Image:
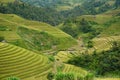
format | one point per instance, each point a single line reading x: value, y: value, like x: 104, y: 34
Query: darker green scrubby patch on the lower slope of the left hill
x: 43, y: 40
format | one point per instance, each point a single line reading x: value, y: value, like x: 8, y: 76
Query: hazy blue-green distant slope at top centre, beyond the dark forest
x: 58, y: 4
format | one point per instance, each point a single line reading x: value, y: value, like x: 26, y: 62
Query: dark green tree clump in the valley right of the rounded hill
x: 77, y: 28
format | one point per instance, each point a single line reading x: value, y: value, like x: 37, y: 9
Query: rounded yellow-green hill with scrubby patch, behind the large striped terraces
x: 32, y: 34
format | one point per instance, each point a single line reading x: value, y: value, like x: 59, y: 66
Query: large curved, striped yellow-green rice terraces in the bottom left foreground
x: 24, y: 64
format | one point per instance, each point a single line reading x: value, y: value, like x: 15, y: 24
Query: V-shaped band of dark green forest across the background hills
x: 51, y: 15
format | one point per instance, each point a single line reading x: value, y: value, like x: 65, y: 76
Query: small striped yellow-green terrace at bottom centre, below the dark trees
x: 74, y: 69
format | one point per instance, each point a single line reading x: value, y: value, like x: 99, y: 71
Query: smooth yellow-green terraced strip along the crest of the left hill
x: 35, y: 25
